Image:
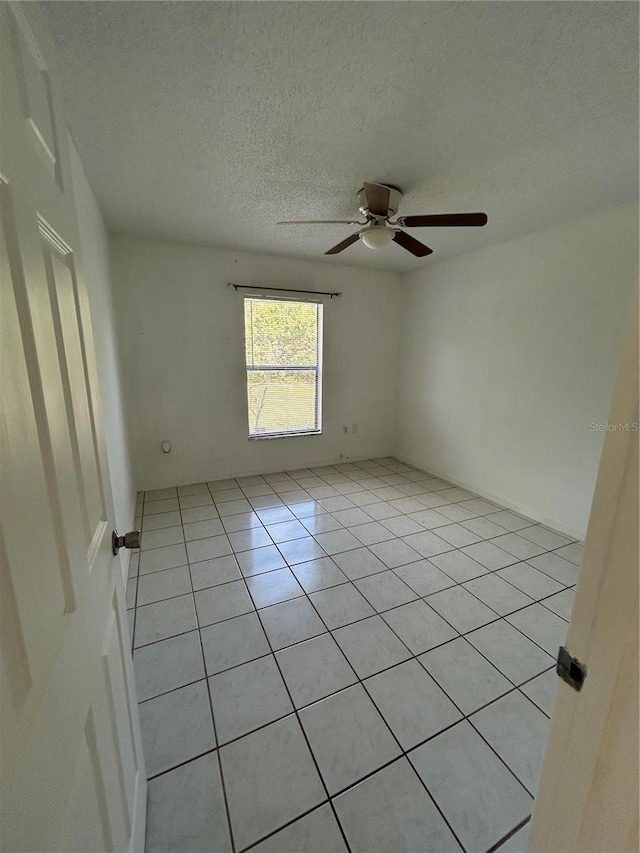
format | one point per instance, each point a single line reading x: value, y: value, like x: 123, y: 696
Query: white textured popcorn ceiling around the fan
x: 208, y: 121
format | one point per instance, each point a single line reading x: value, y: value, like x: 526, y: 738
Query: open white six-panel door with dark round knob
x: 71, y: 764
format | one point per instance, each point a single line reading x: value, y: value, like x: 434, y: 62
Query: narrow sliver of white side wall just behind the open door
x: 95, y: 256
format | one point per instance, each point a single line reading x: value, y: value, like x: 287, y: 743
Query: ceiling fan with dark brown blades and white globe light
x: 378, y: 203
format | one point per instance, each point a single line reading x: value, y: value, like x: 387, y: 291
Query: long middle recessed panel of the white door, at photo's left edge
x: 29, y: 494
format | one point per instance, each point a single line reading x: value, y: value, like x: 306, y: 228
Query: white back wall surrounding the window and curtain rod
x: 182, y: 335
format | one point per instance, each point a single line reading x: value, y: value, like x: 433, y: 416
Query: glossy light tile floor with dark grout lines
x: 357, y: 657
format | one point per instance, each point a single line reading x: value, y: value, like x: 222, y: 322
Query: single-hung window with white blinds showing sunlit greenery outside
x: 283, y: 341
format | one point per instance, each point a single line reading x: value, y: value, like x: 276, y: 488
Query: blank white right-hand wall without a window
x: 509, y: 353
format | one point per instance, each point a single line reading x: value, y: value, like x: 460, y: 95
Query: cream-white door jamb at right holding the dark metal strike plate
x: 588, y: 795
